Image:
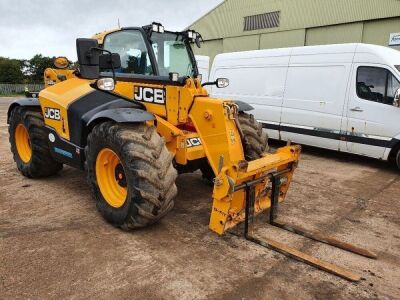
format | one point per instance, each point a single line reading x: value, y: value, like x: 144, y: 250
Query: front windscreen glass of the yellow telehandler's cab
x: 172, y: 54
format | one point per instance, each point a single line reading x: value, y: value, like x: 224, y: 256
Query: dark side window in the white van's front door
x: 376, y: 84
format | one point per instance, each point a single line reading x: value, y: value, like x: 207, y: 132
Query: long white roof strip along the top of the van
x: 364, y: 53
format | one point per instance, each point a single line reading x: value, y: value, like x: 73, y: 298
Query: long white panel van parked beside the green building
x: 339, y: 97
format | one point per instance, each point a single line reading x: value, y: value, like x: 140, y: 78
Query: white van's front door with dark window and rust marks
x: 372, y: 119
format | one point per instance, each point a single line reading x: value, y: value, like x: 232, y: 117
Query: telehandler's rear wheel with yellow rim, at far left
x: 29, y: 145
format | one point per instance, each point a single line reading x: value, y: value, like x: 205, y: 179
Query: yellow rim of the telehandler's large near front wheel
x: 111, y: 178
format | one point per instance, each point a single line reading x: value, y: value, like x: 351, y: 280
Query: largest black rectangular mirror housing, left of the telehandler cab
x: 88, y: 58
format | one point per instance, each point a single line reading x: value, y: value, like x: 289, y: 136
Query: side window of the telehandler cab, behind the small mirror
x: 131, y: 47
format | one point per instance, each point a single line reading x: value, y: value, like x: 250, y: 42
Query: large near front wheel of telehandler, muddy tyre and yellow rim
x: 131, y: 174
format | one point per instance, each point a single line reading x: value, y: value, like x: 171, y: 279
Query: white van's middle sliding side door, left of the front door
x: 313, y: 104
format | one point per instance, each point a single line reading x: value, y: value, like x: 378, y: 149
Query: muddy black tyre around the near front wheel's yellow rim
x: 148, y: 160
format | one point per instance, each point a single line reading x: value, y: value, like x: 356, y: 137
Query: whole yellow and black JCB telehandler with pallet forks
x: 134, y: 115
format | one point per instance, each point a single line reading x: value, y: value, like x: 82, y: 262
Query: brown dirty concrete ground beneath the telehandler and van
x: 54, y: 244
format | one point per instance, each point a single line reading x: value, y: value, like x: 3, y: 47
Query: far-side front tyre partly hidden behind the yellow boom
x: 255, y: 142
